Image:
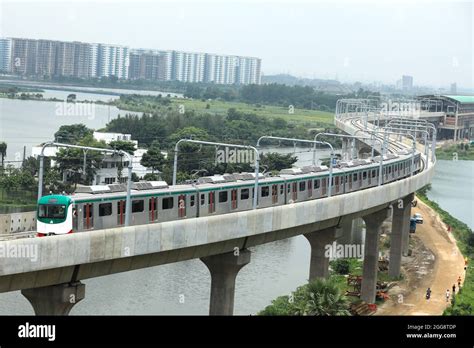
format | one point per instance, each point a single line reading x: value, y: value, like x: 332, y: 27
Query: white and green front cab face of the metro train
x: 54, y: 215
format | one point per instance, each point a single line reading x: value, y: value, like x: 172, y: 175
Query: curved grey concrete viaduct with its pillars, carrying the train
x: 221, y: 242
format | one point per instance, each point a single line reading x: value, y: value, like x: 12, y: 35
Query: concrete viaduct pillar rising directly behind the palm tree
x: 319, y: 264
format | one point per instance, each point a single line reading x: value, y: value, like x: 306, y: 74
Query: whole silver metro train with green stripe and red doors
x: 103, y: 206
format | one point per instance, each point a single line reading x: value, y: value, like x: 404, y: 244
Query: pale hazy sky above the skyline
x: 349, y: 40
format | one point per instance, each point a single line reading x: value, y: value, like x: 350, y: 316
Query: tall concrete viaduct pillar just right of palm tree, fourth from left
x: 373, y: 223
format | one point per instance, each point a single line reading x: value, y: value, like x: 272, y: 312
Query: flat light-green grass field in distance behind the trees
x: 221, y: 107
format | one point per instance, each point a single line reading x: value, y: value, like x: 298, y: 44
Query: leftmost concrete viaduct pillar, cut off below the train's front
x: 55, y: 299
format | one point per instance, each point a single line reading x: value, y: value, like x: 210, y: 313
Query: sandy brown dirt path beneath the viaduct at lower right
x: 437, y: 263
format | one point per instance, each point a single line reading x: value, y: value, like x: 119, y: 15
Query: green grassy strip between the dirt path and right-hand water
x: 464, y: 299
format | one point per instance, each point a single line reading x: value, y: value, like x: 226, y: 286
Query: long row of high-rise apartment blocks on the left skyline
x: 86, y: 60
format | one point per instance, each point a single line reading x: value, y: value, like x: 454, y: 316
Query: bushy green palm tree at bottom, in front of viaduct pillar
x: 320, y: 297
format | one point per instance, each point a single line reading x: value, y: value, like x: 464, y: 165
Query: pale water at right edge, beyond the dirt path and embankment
x: 453, y: 189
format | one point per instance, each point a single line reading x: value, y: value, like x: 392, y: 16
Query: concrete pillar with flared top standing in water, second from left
x: 224, y: 269
